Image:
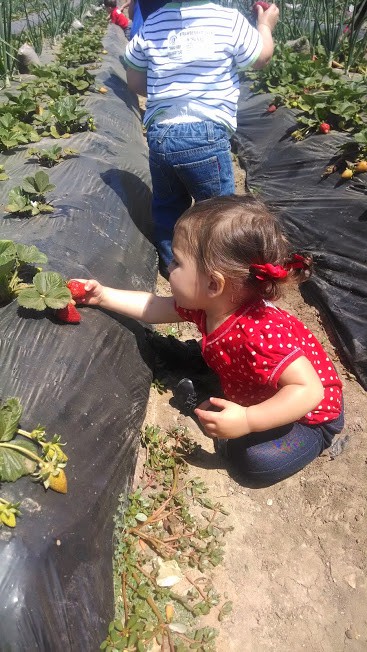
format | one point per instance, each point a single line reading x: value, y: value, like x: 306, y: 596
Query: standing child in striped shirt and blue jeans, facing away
x: 185, y: 59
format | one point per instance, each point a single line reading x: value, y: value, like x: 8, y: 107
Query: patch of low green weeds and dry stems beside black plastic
x: 168, y: 534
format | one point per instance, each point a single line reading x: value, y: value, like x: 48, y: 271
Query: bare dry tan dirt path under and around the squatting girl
x: 295, y: 561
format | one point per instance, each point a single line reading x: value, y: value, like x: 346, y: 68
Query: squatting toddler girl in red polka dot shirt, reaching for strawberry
x: 283, y: 398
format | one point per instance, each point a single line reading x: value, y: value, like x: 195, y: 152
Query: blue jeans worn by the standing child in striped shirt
x: 187, y: 161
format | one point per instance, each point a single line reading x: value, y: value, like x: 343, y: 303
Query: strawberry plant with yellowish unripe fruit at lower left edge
x: 27, y: 453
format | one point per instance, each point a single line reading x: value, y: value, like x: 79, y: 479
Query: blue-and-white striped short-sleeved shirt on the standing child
x: 191, y: 52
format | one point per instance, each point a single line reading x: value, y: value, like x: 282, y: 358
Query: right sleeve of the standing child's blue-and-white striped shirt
x: 248, y: 42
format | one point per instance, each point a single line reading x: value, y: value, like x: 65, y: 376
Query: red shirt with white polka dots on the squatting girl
x: 252, y: 348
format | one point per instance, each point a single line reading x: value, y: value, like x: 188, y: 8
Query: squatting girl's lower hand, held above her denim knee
x: 229, y: 423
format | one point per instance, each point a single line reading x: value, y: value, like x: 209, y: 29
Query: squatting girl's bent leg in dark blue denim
x: 268, y: 457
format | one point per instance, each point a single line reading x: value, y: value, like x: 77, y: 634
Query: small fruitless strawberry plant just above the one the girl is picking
x: 29, y: 198
